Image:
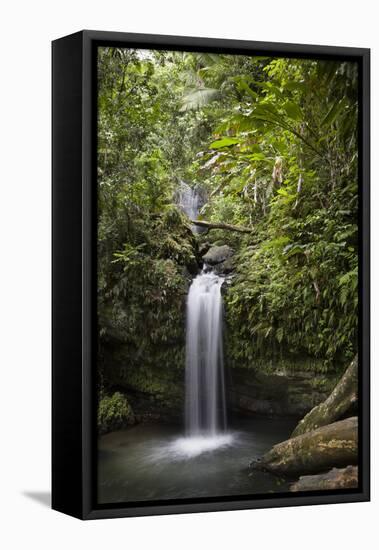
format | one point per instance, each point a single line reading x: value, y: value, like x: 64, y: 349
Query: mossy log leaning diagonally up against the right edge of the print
x: 339, y: 403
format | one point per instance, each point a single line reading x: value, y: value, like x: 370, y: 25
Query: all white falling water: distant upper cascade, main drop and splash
x: 205, y: 407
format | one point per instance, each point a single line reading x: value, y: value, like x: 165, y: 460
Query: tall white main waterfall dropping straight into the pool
x: 205, y: 411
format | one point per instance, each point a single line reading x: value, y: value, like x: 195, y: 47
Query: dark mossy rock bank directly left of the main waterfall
x: 142, y: 315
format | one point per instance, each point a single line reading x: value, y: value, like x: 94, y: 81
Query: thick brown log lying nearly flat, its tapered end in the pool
x: 334, y: 445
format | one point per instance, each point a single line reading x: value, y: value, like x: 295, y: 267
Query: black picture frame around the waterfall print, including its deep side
x: 74, y: 273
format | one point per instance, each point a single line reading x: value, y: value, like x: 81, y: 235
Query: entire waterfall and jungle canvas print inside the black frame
x: 227, y: 275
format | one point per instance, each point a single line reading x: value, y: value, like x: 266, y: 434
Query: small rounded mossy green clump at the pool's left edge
x: 114, y: 413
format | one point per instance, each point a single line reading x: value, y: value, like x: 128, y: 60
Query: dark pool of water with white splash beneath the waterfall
x: 155, y: 462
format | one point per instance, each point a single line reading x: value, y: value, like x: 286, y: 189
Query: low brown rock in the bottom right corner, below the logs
x: 337, y: 478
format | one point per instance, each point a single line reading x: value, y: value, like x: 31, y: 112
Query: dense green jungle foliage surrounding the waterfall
x: 273, y: 145
